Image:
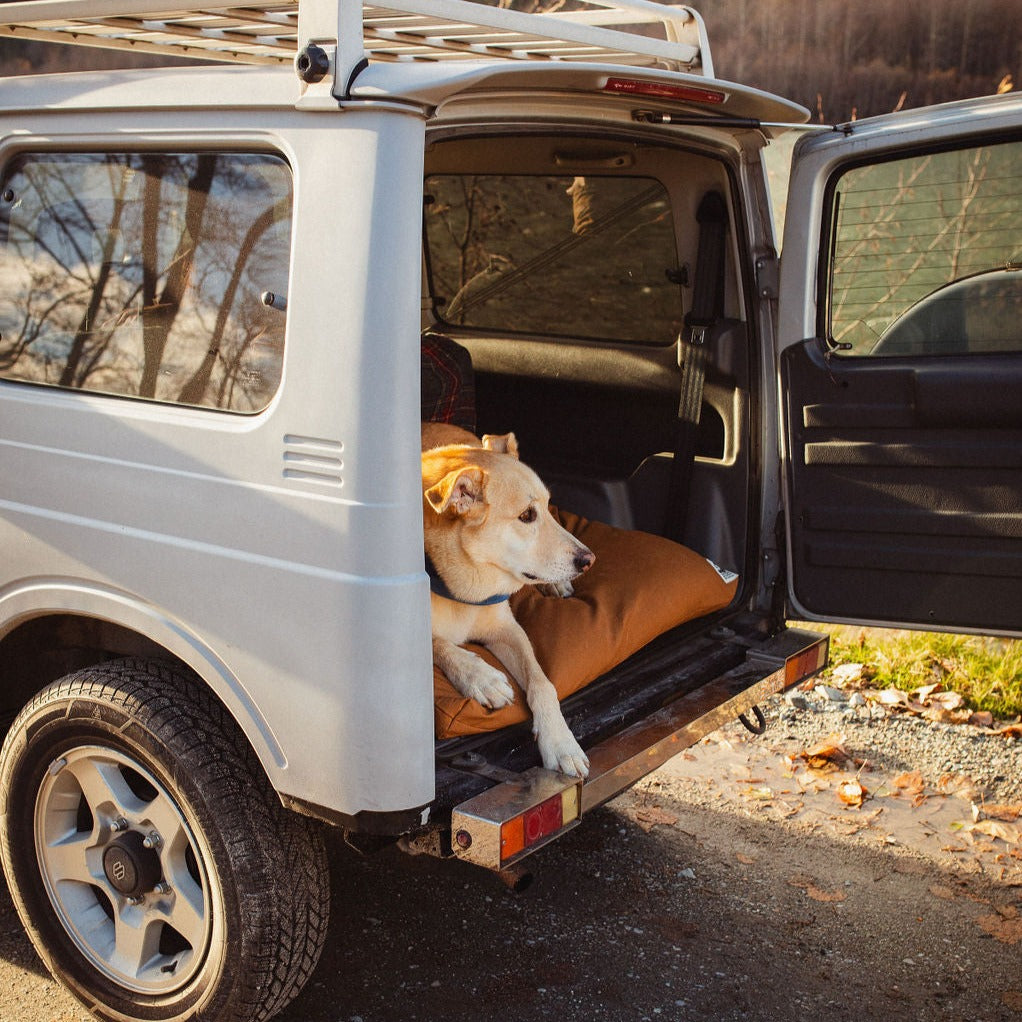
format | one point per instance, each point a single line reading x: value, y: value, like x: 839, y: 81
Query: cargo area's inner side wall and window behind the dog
x: 567, y: 273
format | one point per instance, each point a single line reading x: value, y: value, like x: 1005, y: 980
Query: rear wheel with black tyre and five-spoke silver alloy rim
x: 153, y: 866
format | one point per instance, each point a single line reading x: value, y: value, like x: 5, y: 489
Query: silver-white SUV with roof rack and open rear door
x: 220, y: 288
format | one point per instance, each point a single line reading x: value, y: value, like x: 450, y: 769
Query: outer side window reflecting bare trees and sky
x: 142, y: 274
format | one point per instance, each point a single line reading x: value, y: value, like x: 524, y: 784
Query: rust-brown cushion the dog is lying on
x: 640, y: 587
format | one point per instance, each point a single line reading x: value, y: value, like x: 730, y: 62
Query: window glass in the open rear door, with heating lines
x: 926, y: 255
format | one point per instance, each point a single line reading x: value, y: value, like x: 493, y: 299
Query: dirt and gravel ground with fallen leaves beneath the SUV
x: 733, y: 885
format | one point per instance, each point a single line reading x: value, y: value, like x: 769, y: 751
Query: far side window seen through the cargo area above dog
x: 579, y: 257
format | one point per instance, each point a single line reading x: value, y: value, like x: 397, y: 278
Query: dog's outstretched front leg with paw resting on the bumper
x: 559, y: 747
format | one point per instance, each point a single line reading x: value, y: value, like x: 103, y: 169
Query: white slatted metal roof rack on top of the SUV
x: 617, y: 32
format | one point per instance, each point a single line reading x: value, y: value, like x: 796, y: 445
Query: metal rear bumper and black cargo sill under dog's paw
x: 652, y: 709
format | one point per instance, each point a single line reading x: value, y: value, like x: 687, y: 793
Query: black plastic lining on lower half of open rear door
x: 906, y: 484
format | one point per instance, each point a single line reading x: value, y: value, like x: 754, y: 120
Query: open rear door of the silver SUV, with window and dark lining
x: 901, y: 360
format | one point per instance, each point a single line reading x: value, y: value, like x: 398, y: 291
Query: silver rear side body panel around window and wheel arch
x: 323, y: 565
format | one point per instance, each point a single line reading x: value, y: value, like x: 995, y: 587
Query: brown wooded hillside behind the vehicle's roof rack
x: 841, y: 59
